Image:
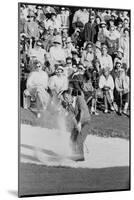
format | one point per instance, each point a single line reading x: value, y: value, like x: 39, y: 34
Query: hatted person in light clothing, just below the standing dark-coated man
x: 88, y: 55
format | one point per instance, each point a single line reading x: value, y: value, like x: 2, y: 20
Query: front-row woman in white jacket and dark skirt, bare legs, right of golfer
x: 106, y: 84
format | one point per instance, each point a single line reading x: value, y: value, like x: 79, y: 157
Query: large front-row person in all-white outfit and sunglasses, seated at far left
x: 37, y: 85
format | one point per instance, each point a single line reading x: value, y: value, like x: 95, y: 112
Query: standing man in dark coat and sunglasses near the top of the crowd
x: 90, y: 30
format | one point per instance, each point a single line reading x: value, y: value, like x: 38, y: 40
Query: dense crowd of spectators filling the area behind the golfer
x: 78, y: 52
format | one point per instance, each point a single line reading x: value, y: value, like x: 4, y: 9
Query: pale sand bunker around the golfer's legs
x: 52, y: 147
